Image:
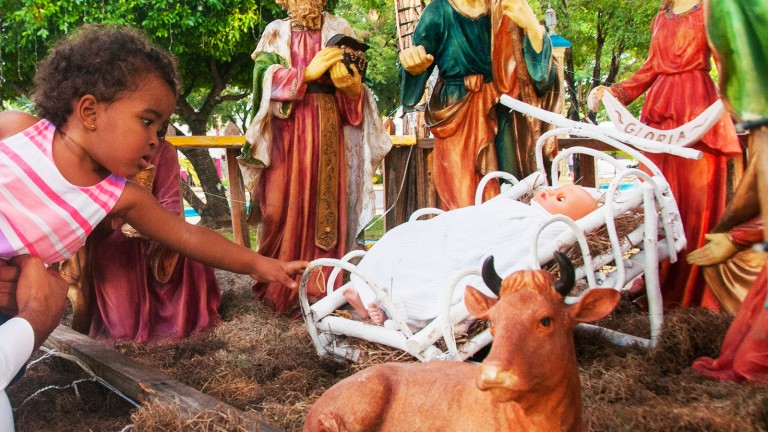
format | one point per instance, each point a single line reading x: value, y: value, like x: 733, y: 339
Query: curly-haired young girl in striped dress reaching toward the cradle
x: 105, y: 95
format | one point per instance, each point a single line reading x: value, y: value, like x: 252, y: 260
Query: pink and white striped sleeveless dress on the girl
x: 41, y: 213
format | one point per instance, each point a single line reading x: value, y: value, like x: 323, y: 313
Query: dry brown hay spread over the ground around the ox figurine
x: 263, y: 363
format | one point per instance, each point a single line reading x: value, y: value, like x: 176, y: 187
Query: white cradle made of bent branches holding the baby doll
x: 659, y: 237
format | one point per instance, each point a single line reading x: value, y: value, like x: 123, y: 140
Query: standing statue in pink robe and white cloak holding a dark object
x: 313, y: 146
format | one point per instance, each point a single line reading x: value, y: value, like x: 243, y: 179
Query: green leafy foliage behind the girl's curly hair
x: 201, y: 34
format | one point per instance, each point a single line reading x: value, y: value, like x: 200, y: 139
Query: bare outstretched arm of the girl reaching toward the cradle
x: 140, y: 209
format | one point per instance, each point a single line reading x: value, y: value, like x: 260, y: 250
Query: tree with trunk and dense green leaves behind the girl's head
x: 212, y: 40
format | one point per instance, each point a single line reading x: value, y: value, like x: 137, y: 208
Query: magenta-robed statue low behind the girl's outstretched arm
x: 142, y: 291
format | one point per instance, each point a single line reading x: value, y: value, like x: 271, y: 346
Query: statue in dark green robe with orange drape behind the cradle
x: 476, y: 46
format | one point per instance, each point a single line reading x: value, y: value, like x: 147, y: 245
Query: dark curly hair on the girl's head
x: 103, y: 60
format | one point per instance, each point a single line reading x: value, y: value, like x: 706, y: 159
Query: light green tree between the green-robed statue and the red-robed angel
x: 610, y: 42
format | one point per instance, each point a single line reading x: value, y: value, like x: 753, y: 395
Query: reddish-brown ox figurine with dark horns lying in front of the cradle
x: 528, y: 382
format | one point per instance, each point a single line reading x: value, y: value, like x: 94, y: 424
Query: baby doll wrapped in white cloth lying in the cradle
x: 417, y: 261
